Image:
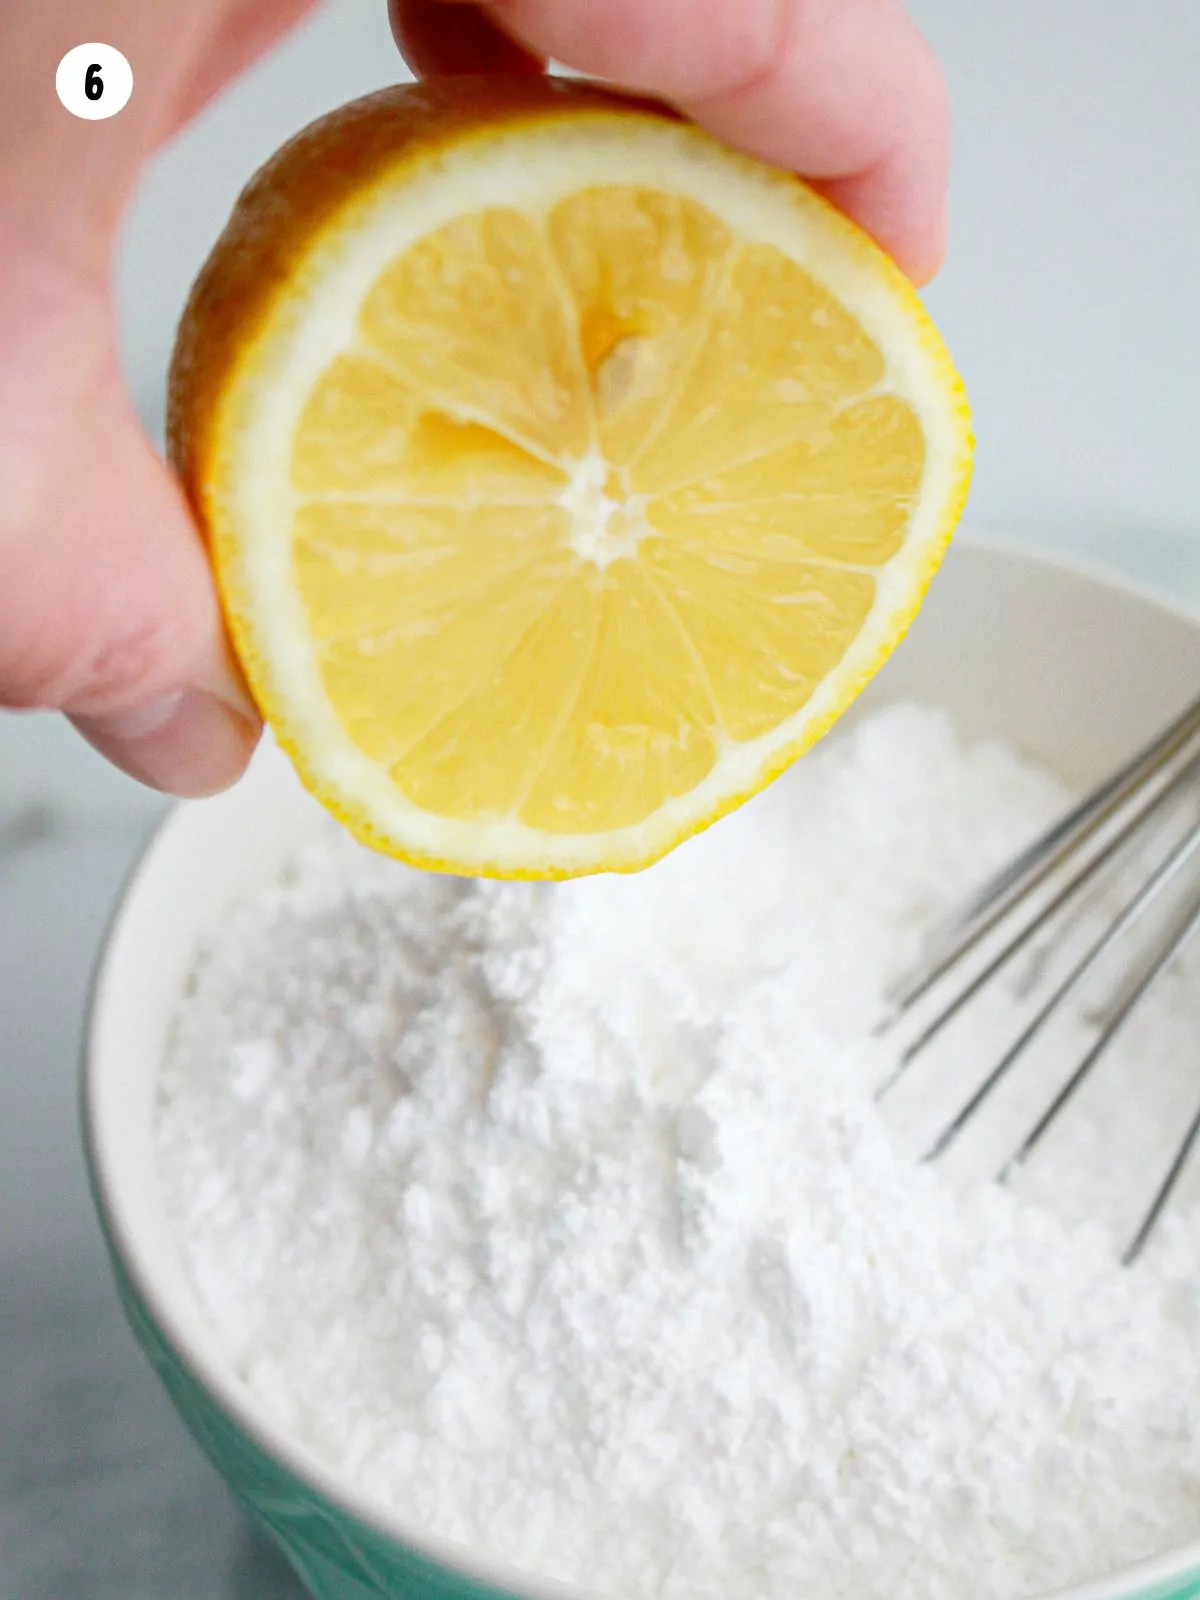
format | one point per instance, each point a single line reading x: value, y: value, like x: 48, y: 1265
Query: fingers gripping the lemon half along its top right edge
x: 844, y: 92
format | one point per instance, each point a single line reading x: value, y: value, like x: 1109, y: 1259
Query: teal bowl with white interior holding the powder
x: 1070, y: 666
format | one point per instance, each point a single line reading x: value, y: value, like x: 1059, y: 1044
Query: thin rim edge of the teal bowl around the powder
x: 1174, y: 1575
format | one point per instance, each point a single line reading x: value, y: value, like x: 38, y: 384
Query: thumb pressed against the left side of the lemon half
x: 108, y: 609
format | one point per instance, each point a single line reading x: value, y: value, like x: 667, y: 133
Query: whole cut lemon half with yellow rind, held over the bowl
x: 566, y: 473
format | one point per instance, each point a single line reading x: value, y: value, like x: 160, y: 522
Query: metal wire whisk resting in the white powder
x: 1138, y: 815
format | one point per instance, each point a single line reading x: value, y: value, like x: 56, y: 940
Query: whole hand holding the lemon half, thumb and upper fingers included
x: 106, y: 601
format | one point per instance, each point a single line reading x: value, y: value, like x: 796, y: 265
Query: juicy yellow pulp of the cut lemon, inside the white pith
x: 593, y: 495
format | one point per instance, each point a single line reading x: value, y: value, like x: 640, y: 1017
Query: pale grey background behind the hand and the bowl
x: 1071, y: 305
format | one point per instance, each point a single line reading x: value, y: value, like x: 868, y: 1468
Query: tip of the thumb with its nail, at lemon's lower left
x: 188, y: 745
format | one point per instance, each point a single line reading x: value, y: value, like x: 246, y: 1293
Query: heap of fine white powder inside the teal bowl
x: 562, y: 1218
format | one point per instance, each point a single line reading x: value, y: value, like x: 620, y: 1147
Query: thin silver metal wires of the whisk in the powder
x: 1127, y: 802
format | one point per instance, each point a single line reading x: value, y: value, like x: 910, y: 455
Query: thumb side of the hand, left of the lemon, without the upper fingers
x: 106, y: 598
